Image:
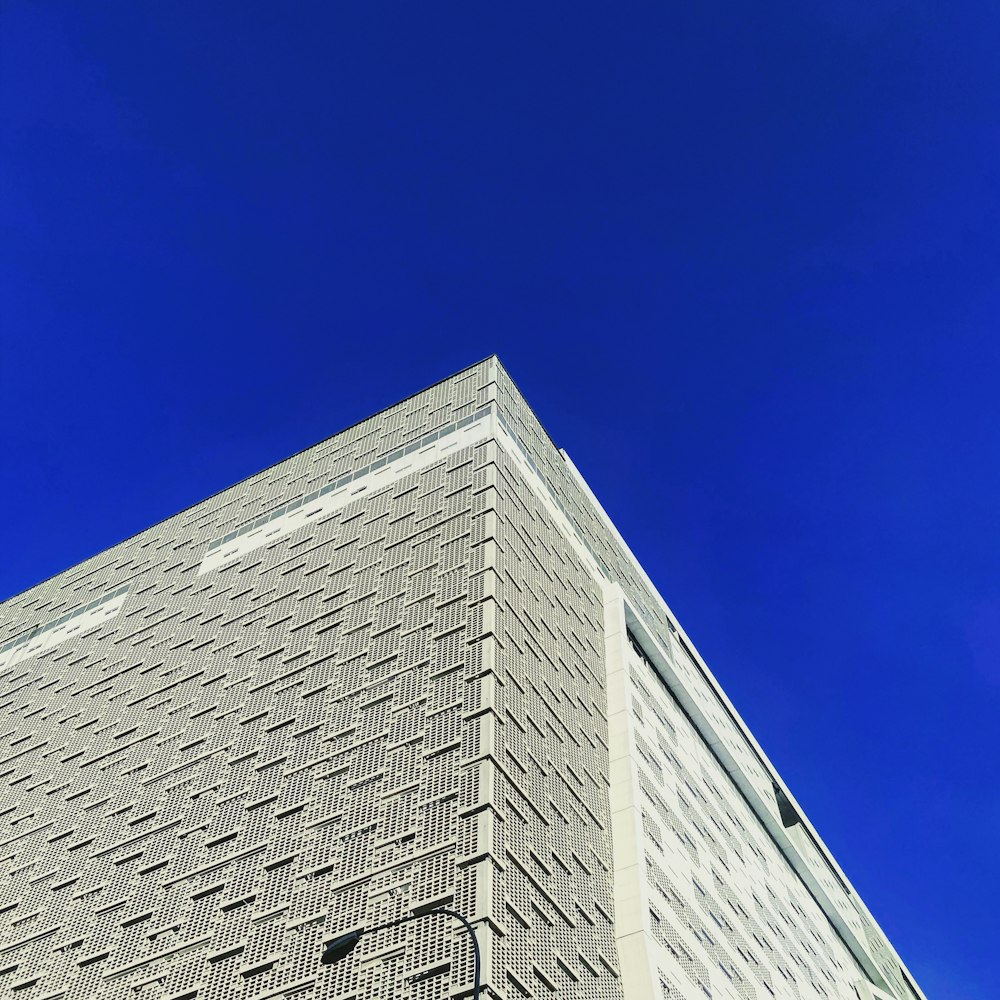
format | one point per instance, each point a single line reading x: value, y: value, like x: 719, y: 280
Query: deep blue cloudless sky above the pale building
x: 741, y: 257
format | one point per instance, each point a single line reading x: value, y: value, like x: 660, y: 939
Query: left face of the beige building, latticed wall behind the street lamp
x: 275, y: 737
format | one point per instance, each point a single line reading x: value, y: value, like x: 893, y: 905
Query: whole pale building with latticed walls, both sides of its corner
x: 412, y: 666
